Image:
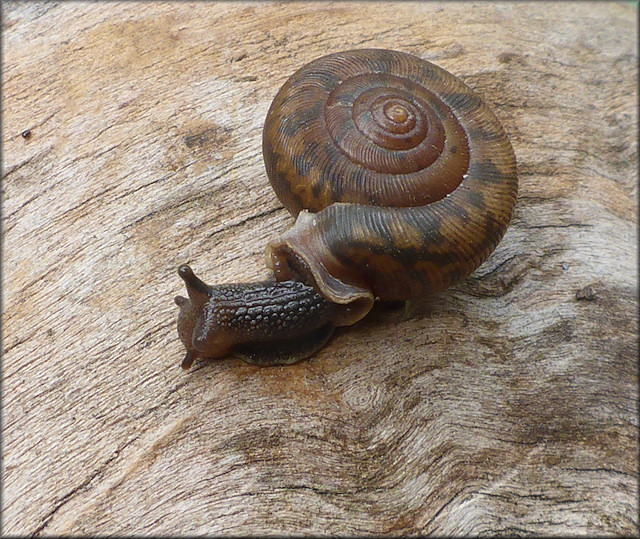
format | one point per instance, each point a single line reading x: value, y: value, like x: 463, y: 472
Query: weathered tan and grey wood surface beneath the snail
x: 507, y: 404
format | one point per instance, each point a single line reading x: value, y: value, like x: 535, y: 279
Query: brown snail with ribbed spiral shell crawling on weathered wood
x: 402, y: 182
